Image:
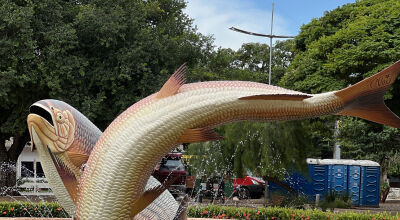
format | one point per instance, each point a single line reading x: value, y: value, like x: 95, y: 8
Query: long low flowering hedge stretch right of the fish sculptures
x: 213, y: 211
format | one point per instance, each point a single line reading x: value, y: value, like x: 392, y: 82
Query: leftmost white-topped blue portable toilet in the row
x: 319, y: 176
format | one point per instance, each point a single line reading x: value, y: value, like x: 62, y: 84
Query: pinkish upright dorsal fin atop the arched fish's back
x: 173, y: 84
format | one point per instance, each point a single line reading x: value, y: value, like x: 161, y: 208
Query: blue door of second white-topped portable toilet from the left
x: 338, y: 178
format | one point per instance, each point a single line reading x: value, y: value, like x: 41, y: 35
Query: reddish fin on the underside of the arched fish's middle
x: 199, y: 135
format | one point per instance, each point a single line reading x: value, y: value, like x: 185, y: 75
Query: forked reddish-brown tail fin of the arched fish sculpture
x: 365, y: 99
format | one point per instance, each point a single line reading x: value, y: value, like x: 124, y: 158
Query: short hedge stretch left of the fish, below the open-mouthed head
x: 27, y: 209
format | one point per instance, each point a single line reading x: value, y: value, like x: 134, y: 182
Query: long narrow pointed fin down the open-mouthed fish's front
x: 68, y: 178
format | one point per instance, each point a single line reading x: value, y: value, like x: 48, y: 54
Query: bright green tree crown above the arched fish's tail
x: 344, y: 46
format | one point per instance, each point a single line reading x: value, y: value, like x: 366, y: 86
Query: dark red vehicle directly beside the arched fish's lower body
x: 169, y: 167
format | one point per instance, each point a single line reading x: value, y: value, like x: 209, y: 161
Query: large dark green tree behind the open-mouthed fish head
x: 99, y: 57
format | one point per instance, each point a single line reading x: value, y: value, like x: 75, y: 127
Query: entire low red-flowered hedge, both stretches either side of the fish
x: 53, y: 209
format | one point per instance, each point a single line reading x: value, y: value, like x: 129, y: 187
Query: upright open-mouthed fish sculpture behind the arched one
x: 64, y: 139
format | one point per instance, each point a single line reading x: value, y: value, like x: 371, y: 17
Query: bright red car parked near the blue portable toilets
x: 248, y: 187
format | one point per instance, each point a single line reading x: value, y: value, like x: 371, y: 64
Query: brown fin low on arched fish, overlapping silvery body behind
x: 149, y: 196
